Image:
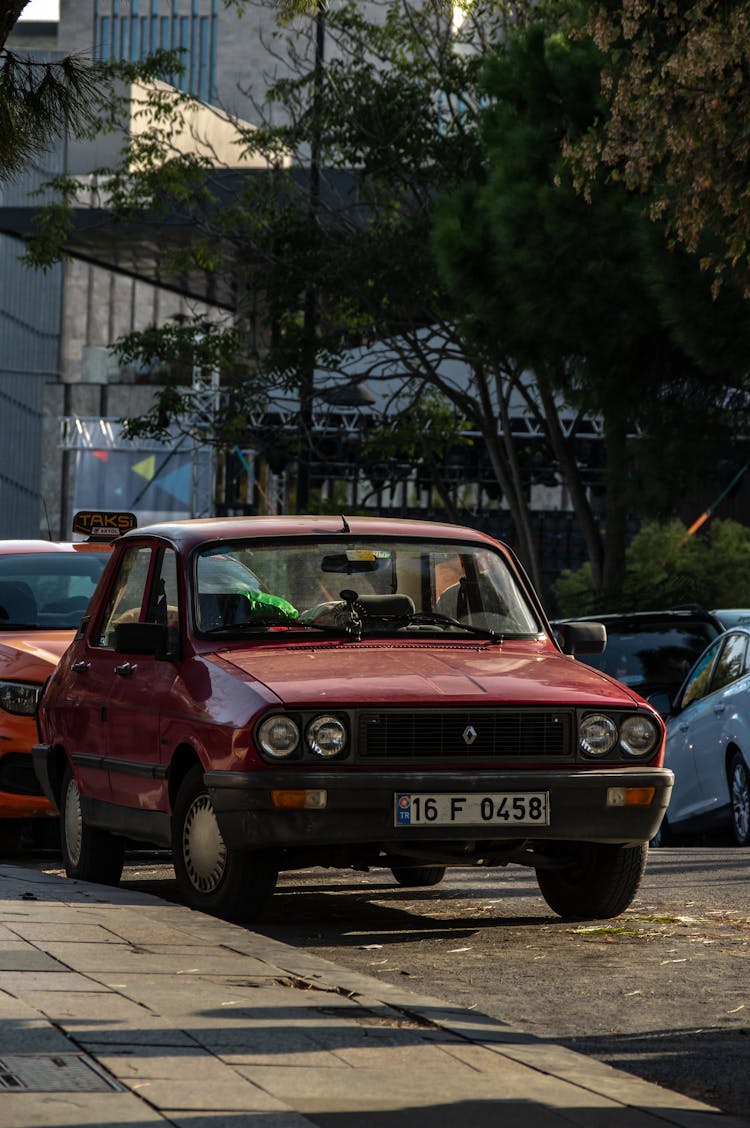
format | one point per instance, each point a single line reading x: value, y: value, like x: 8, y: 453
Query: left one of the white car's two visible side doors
x: 687, y: 724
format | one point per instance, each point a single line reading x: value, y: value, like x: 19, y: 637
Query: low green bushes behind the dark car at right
x: 666, y: 568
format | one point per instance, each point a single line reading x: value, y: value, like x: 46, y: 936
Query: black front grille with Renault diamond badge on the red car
x: 461, y: 735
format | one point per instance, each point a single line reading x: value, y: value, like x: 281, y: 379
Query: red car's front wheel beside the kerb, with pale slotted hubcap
x: 215, y: 878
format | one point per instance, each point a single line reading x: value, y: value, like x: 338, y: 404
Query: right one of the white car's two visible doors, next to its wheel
x: 723, y: 720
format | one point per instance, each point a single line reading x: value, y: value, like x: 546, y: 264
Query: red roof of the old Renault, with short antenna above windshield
x: 189, y: 534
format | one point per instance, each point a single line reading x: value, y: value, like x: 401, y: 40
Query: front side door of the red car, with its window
x: 142, y: 684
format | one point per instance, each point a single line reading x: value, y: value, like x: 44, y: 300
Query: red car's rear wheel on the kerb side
x: 90, y: 853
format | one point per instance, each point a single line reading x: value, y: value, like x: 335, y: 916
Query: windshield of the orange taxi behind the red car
x: 48, y: 592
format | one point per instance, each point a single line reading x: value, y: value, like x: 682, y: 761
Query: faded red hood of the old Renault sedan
x: 361, y: 674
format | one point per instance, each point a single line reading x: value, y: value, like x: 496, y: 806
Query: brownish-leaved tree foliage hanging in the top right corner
x: 678, y: 84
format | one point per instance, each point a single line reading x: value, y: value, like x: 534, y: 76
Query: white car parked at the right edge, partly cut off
x: 709, y: 743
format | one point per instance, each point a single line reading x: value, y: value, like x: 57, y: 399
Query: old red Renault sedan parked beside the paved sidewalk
x: 281, y: 693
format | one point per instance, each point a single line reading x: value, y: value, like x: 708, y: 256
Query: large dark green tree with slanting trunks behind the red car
x: 411, y: 120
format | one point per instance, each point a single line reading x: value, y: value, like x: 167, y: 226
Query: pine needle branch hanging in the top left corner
x: 40, y: 101
